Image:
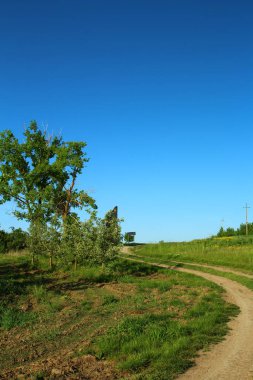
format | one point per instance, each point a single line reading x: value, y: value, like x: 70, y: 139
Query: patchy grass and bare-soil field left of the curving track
x: 129, y: 321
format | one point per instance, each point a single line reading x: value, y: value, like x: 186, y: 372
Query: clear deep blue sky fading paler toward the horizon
x: 160, y: 90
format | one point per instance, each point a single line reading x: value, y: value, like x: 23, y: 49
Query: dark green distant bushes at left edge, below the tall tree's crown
x: 15, y: 240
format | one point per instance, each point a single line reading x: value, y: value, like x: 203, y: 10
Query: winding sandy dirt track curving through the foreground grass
x: 232, y: 359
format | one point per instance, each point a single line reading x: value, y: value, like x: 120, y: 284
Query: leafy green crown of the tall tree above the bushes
x: 40, y: 174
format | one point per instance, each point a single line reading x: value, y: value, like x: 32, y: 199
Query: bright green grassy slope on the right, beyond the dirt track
x: 234, y: 252
